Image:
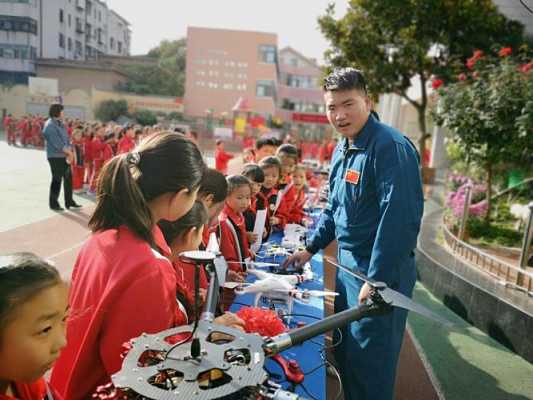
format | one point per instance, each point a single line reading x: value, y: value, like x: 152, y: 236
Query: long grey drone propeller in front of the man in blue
x: 393, y: 297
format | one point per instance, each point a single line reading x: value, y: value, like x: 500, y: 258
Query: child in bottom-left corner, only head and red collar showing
x: 33, y: 308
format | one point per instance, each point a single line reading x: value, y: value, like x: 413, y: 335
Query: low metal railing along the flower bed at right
x: 507, y: 274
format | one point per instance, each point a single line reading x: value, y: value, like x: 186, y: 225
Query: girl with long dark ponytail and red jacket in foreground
x: 122, y: 282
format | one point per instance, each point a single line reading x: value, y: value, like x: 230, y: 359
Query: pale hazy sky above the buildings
x: 295, y: 21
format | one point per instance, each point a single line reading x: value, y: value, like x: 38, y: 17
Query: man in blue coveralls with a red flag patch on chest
x: 374, y: 211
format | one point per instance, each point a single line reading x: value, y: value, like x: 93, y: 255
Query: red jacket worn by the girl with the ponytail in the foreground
x: 120, y: 288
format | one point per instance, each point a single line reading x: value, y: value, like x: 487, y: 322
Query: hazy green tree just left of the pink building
x: 166, y: 77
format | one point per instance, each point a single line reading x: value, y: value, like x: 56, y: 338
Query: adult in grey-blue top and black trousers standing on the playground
x: 59, y: 154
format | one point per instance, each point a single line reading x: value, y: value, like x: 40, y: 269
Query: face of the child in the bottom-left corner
x: 32, y: 341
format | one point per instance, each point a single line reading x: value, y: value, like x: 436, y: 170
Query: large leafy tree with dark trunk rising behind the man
x: 394, y: 41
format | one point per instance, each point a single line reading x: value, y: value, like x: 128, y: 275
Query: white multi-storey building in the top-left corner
x: 57, y: 29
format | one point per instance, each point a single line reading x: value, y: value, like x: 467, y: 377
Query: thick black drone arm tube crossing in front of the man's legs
x: 286, y: 340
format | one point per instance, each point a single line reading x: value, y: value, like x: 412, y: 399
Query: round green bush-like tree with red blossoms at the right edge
x: 490, y: 112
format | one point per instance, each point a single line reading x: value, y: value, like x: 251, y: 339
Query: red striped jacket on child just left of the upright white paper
x: 233, y: 241
